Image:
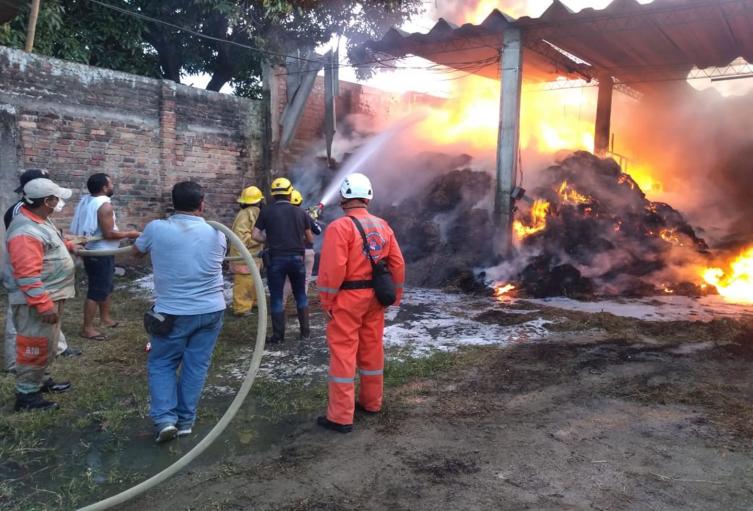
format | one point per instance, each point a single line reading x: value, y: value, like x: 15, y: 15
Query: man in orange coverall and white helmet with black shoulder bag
x: 354, y: 332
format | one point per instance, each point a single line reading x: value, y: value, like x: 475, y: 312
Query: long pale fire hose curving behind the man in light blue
x: 232, y: 410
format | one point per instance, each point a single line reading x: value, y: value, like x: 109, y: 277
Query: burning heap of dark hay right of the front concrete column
x: 591, y: 230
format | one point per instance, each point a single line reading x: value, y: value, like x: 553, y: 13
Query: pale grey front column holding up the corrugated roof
x: 511, y: 80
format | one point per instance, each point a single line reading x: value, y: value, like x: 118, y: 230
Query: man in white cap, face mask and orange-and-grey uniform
x: 39, y: 275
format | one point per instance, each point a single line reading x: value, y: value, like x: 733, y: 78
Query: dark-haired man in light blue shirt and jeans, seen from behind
x: 187, y: 256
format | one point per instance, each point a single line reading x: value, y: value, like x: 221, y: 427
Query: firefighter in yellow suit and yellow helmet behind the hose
x: 244, y: 291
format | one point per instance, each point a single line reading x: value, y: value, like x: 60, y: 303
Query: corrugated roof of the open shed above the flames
x: 636, y: 43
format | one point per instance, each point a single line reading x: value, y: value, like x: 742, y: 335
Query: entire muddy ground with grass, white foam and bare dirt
x: 489, y: 405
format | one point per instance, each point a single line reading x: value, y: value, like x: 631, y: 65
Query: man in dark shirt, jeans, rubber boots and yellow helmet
x: 285, y: 229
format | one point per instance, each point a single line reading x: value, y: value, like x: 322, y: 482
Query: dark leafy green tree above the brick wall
x: 91, y: 32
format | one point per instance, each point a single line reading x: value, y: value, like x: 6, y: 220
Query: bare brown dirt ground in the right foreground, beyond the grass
x: 605, y: 415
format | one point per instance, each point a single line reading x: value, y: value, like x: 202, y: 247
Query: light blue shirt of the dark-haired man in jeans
x: 187, y: 256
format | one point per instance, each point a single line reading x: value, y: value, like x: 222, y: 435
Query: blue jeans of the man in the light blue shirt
x: 188, y: 346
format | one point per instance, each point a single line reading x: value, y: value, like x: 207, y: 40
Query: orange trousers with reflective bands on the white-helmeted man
x: 354, y: 337
